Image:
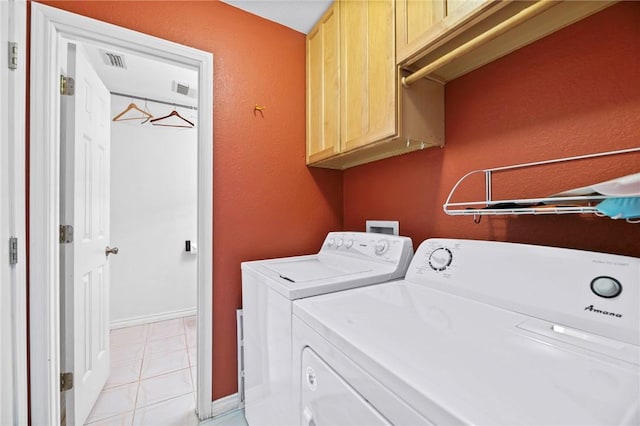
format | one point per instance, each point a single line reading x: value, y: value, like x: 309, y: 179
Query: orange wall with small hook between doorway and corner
x: 267, y: 203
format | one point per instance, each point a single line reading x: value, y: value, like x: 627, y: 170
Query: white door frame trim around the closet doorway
x: 48, y: 27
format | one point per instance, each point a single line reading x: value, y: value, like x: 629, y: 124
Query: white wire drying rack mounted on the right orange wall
x: 535, y: 206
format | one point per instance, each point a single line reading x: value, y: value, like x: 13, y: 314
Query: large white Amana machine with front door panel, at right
x: 478, y: 332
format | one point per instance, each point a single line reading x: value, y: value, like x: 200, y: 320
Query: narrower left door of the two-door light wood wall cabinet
x: 323, y: 87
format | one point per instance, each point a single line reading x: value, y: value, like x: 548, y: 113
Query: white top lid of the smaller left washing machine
x: 313, y: 269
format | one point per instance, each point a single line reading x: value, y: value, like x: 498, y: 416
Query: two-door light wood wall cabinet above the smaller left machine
x: 374, y: 116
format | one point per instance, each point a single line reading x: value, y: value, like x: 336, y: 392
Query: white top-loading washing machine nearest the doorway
x: 345, y: 260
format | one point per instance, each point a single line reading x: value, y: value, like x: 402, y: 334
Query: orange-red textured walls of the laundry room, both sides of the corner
x: 574, y: 92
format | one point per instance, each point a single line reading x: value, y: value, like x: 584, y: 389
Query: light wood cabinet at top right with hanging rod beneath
x: 428, y: 31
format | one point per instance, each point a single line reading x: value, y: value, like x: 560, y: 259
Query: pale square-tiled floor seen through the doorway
x: 153, y: 376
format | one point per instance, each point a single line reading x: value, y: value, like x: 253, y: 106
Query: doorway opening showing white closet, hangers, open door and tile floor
x: 151, y: 225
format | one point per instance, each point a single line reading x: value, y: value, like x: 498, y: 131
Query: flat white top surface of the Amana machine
x: 478, y: 363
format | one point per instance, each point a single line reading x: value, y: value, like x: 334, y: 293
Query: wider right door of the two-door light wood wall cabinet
x: 368, y: 72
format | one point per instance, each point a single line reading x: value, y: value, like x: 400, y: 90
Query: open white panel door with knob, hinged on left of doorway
x: 85, y: 143
